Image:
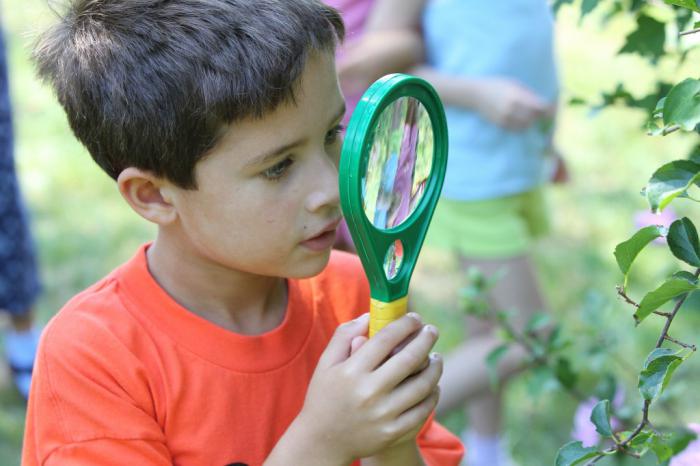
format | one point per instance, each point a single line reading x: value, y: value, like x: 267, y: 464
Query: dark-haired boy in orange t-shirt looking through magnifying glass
x: 219, y: 343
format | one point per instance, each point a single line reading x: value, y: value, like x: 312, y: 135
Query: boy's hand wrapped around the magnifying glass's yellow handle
x: 363, y: 399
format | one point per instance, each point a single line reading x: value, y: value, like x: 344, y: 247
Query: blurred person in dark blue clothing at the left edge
x: 19, y: 282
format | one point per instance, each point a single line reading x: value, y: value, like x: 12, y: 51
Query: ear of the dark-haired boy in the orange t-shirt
x: 148, y: 195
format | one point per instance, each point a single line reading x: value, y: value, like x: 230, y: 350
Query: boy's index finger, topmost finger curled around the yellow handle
x: 380, y: 346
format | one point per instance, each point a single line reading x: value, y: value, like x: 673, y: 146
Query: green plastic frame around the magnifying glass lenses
x: 372, y: 243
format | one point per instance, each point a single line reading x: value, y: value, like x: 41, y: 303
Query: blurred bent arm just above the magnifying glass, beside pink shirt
x: 390, y: 43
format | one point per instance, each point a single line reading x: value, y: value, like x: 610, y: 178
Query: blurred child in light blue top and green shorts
x: 493, y: 65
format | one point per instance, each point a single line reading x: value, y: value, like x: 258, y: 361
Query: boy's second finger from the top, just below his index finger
x: 410, y: 358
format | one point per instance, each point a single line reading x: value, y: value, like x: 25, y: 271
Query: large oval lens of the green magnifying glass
x: 399, y: 163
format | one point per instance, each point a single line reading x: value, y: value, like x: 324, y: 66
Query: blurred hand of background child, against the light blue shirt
x: 510, y: 105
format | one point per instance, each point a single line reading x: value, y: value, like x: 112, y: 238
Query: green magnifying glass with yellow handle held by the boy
x: 392, y: 167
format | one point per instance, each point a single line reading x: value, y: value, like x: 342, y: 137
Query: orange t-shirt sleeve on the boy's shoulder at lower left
x: 90, y: 402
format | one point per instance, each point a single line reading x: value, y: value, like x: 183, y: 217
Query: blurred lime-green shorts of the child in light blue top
x: 489, y: 229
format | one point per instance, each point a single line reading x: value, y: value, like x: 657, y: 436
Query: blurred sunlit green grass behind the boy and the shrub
x: 83, y: 229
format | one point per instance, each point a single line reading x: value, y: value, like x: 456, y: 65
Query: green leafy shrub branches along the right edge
x: 675, y: 109
